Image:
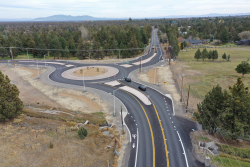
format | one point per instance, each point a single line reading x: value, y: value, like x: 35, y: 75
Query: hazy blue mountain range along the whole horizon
x: 90, y: 18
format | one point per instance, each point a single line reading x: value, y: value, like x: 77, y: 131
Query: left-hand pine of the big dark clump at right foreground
x: 211, y: 108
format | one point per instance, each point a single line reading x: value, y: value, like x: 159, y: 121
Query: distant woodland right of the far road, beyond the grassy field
x: 223, y: 28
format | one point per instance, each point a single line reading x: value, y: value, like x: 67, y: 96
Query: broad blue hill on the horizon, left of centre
x: 71, y: 18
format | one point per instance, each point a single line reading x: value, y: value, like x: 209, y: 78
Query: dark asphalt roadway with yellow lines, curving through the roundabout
x: 158, y: 137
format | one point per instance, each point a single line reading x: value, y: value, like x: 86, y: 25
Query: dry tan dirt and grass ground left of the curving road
x: 51, y: 115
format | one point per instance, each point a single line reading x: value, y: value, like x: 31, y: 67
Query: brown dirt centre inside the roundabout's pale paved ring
x: 92, y: 71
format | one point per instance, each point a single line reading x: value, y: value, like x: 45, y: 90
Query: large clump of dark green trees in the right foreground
x: 226, y: 111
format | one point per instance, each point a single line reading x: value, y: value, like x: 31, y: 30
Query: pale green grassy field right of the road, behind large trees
x: 211, y: 73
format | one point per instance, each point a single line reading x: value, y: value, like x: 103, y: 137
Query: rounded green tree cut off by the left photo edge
x: 10, y: 104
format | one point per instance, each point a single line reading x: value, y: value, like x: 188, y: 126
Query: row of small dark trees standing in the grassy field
x: 212, y: 54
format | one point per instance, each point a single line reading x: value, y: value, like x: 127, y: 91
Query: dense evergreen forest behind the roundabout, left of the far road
x: 68, y: 38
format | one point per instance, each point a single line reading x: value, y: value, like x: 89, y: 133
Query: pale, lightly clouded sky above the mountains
x: 17, y: 9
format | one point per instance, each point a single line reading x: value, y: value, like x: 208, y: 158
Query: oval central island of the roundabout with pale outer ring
x: 90, y: 72
